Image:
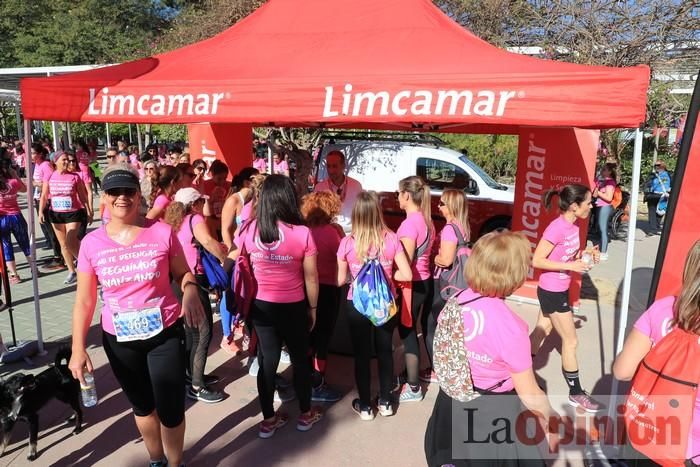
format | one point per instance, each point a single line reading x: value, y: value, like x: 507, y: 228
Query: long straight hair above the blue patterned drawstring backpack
x: 368, y: 225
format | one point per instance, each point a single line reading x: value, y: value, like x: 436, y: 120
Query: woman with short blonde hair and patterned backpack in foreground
x: 495, y: 348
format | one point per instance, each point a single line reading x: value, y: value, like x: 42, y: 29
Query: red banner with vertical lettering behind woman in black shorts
x: 550, y: 158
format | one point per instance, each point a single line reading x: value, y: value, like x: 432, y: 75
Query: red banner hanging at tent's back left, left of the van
x: 231, y: 143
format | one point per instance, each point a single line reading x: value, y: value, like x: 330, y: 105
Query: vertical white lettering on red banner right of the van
x: 534, y: 187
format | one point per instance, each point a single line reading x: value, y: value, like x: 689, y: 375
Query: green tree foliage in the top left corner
x: 66, y: 32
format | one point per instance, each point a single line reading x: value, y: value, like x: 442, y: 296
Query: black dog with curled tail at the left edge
x: 22, y: 396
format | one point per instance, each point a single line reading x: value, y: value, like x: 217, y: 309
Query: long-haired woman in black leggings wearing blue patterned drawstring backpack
x: 371, y: 238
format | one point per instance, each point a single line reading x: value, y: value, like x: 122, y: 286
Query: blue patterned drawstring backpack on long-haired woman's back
x: 371, y: 293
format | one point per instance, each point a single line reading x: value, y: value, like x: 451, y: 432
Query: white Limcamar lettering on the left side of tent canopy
x: 104, y: 103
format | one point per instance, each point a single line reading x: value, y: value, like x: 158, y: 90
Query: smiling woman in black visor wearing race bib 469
x: 135, y: 261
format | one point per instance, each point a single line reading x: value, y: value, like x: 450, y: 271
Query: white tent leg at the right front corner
x: 627, y: 279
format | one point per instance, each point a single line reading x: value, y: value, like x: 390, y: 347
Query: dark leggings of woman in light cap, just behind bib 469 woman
x: 198, y: 339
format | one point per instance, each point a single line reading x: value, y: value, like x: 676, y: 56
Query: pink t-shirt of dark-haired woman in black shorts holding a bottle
x: 565, y: 238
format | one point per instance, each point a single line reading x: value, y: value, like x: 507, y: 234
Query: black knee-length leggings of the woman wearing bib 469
x: 151, y: 373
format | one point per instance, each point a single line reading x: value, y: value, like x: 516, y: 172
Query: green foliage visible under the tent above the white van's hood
x: 496, y: 154
